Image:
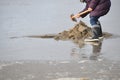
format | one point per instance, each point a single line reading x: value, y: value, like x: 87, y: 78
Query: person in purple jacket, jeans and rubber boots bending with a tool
x: 96, y: 9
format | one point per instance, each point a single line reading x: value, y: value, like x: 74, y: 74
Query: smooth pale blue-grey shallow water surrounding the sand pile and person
x: 34, y: 17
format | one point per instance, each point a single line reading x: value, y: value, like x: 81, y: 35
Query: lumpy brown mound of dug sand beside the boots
x: 79, y: 31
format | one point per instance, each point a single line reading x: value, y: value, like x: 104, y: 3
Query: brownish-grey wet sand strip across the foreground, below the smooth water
x: 60, y: 70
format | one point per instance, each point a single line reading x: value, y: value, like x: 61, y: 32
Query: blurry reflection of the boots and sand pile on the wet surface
x: 88, y: 50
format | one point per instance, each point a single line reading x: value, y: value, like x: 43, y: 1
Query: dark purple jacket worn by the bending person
x: 100, y: 7
